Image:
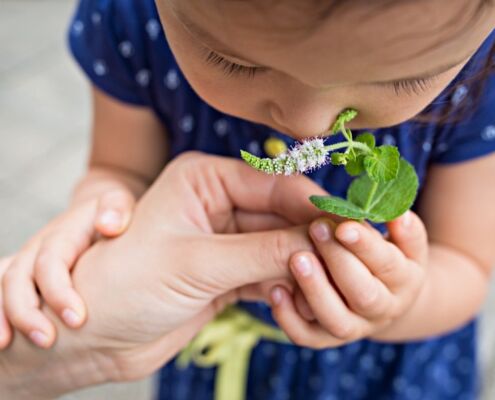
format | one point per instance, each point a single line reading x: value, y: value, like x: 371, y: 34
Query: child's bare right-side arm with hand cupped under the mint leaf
x: 417, y: 288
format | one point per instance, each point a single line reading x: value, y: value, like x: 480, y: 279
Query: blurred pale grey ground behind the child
x: 44, y: 115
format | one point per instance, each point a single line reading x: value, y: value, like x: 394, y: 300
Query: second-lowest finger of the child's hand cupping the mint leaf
x: 327, y: 305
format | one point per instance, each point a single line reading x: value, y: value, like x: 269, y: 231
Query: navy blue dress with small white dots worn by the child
x: 121, y: 47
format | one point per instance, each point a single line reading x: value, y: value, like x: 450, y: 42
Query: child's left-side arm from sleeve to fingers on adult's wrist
x: 129, y: 150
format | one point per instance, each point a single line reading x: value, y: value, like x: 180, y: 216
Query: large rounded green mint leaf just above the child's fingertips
x: 391, y: 199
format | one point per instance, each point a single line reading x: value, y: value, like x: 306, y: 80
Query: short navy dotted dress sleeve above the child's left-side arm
x: 108, y: 39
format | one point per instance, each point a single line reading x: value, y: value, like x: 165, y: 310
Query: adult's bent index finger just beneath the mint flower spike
x: 224, y: 183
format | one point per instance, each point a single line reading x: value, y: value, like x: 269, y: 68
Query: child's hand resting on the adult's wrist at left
x: 45, y: 263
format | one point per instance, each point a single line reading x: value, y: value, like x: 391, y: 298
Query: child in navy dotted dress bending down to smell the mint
x: 260, y: 70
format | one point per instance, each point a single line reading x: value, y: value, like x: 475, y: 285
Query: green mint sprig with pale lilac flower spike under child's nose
x: 386, y: 184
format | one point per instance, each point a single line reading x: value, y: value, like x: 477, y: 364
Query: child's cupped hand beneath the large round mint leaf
x: 367, y: 283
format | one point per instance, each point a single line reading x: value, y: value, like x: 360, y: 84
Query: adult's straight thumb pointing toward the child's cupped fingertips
x: 243, y: 259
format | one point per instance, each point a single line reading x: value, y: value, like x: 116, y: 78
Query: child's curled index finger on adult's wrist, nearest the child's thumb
x: 56, y: 257
